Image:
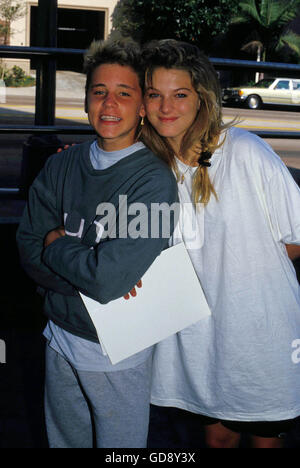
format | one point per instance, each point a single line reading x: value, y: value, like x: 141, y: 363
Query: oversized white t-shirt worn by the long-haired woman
x: 238, y: 364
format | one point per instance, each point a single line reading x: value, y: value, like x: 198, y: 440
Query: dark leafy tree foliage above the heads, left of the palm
x: 196, y: 21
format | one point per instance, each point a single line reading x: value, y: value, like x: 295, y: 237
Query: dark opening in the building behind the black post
x: 76, y: 30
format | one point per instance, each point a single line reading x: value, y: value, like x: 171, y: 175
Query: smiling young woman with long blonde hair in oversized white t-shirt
x: 237, y: 368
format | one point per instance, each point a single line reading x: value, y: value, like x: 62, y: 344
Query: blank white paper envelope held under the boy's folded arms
x: 170, y: 300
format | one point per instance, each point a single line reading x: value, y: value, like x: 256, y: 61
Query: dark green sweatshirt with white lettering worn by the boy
x: 68, y: 192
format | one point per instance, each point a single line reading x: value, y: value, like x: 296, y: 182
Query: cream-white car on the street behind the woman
x: 284, y: 91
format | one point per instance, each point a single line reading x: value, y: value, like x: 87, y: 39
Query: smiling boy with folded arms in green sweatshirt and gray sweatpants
x: 68, y: 244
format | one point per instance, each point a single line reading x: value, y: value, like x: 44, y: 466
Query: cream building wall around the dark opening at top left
x: 21, y: 28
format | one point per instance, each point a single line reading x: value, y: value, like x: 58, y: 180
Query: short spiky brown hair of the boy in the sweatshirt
x: 122, y: 52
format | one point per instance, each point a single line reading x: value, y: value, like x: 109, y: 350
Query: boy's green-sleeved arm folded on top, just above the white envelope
x: 113, y: 267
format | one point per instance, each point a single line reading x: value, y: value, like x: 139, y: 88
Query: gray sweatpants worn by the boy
x: 96, y: 409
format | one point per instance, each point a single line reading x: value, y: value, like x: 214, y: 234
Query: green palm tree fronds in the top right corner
x: 269, y: 20
